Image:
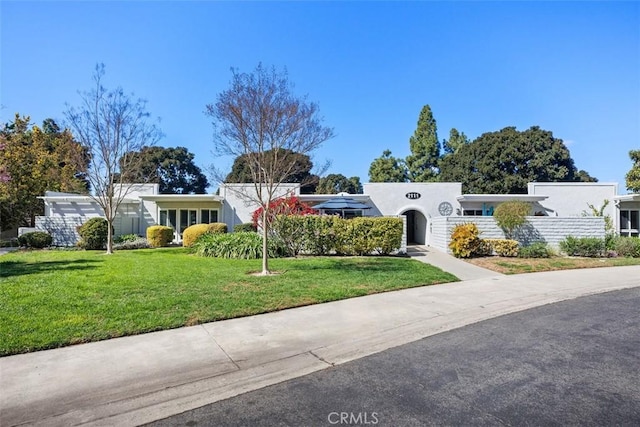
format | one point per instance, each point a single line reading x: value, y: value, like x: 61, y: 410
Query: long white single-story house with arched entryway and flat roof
x: 431, y: 210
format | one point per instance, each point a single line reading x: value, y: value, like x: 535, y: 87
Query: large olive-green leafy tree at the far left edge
x: 34, y: 160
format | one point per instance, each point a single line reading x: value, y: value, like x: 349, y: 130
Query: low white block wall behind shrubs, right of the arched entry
x: 551, y: 230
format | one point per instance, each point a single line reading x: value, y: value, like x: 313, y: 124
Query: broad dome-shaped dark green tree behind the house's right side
x: 504, y: 162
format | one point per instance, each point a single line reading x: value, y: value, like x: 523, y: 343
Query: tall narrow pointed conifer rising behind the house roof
x: 422, y: 163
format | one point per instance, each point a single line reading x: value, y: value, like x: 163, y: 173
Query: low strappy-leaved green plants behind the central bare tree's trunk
x: 239, y: 245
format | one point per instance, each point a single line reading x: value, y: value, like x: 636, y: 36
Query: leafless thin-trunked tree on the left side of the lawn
x: 111, y: 125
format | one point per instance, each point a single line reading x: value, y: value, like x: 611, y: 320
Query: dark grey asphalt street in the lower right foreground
x: 575, y: 362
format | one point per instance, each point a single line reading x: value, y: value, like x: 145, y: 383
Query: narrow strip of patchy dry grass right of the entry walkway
x: 531, y: 265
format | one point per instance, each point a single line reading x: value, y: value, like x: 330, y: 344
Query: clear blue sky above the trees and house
x: 569, y: 67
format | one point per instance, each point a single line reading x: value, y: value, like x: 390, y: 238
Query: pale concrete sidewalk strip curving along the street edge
x: 134, y: 380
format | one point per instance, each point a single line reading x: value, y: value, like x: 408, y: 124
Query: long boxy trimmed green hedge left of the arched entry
x: 323, y: 234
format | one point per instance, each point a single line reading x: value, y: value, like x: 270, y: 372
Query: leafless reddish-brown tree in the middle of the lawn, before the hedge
x: 260, y: 118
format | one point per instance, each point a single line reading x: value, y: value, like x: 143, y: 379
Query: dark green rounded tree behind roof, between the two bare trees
x: 172, y: 168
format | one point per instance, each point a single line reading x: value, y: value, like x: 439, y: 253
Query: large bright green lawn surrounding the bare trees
x: 56, y: 298
